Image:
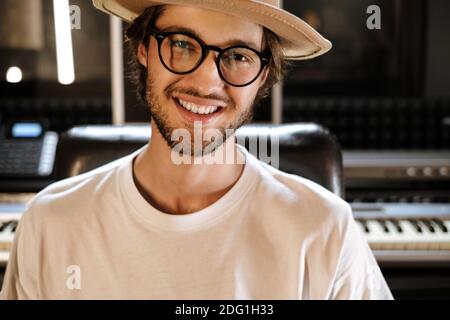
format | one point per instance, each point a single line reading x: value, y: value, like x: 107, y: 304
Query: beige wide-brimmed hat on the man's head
x: 299, y: 40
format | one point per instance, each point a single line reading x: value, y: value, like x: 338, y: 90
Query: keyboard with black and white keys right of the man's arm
x: 405, y: 232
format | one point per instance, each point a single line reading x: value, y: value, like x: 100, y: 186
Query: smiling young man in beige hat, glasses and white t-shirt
x: 149, y: 227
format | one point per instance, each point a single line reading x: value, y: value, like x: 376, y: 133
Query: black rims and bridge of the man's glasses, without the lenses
x: 161, y: 36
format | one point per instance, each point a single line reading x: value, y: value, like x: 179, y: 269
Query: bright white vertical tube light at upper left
x: 64, y: 49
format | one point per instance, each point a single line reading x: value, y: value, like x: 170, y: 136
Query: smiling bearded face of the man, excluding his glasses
x: 167, y: 92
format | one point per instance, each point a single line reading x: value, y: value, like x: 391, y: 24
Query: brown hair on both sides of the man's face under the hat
x: 137, y: 33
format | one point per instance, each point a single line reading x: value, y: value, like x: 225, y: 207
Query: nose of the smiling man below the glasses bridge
x: 206, y: 78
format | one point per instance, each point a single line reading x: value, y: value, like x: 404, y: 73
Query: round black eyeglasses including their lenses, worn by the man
x: 182, y: 53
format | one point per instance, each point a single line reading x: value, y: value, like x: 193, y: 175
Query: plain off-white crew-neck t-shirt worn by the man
x: 272, y: 236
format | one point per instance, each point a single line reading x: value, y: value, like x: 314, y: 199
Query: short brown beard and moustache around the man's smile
x: 160, y: 116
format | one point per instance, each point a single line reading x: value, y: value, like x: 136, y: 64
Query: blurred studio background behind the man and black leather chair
x: 383, y: 93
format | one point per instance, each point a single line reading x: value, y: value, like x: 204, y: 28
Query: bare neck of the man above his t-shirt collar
x: 182, y: 188
